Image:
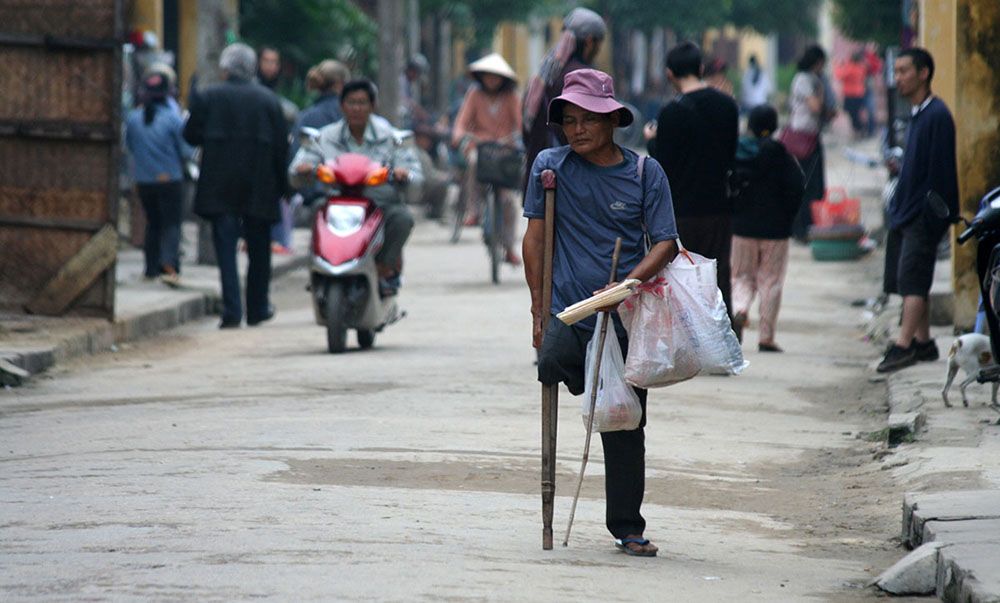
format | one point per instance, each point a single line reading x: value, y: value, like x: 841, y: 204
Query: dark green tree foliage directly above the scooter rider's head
x: 308, y: 31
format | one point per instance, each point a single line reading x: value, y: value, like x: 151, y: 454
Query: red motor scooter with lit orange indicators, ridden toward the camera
x: 347, y: 233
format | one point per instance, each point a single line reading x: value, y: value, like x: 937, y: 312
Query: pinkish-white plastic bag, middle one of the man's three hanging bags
x: 658, y: 353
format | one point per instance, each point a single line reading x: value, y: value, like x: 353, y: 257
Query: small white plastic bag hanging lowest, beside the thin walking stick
x: 617, y: 407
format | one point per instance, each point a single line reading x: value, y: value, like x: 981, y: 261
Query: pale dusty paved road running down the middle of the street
x: 222, y: 465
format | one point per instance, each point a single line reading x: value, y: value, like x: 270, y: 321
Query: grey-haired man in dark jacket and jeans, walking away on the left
x: 242, y: 132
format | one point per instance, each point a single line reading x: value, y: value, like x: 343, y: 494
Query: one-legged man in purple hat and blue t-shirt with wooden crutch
x: 600, y: 195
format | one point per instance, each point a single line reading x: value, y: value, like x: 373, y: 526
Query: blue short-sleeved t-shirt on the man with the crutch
x: 594, y: 206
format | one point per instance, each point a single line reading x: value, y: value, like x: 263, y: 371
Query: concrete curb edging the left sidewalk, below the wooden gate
x: 126, y: 329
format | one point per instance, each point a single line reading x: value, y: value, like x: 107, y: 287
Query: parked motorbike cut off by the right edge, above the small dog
x: 984, y: 227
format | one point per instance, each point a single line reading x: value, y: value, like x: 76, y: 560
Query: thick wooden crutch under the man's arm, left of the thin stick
x: 550, y: 393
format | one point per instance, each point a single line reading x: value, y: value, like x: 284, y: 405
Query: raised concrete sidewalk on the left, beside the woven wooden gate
x: 142, y: 308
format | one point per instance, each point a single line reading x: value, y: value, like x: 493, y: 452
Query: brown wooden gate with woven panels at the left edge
x: 60, y: 127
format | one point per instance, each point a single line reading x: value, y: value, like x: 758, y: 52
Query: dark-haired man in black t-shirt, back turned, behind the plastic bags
x: 695, y: 141
